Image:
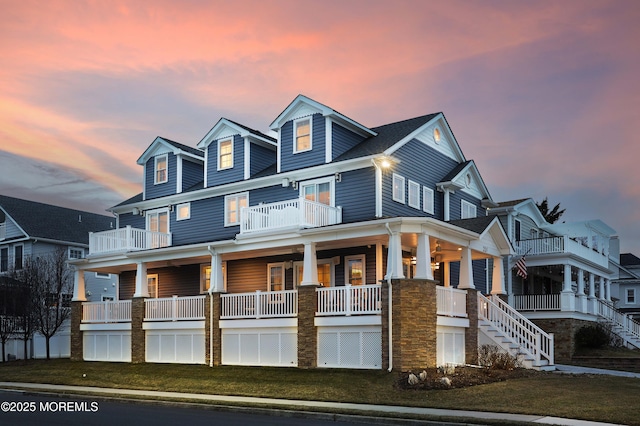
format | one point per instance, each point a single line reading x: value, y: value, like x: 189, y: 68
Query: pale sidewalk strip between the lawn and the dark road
x: 266, y: 403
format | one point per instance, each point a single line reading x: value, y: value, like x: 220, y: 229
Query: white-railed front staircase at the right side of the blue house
x: 511, y: 331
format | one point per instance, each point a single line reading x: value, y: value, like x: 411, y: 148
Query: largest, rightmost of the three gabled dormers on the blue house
x: 310, y: 134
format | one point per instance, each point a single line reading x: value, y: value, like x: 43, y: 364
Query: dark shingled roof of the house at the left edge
x: 45, y: 221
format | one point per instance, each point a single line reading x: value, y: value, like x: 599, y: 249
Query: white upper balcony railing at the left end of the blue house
x: 126, y: 239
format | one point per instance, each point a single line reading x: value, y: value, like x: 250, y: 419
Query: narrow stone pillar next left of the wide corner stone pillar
x: 307, y: 333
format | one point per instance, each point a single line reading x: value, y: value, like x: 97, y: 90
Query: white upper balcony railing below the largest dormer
x: 300, y: 212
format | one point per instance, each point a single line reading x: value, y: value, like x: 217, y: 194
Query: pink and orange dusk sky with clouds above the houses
x: 544, y: 96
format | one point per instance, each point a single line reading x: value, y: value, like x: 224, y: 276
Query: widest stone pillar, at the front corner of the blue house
x: 413, y: 327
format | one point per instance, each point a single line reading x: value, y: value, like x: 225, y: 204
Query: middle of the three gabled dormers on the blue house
x: 234, y: 152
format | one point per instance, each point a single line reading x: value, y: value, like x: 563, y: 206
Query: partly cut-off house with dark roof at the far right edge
x: 626, y: 288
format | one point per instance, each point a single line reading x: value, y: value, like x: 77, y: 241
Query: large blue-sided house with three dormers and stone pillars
x: 331, y: 244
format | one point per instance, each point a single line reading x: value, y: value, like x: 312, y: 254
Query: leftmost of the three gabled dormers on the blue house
x: 170, y: 168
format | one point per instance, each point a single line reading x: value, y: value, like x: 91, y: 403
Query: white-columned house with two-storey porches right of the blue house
x: 570, y: 268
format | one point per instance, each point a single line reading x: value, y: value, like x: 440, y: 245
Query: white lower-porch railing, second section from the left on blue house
x: 174, y: 308
